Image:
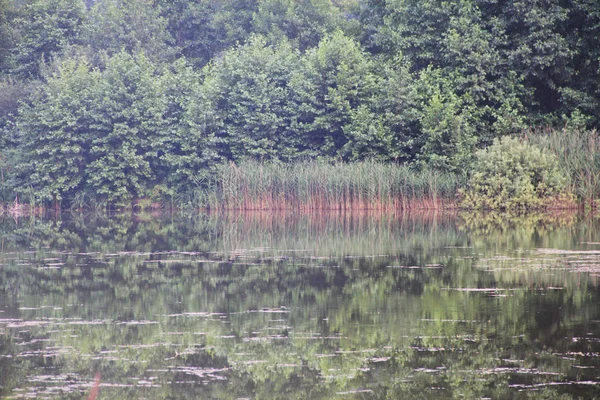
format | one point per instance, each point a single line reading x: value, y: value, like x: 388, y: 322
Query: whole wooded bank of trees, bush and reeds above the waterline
x: 106, y: 102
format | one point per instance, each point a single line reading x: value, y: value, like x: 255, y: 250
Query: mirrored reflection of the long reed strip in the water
x: 360, y: 233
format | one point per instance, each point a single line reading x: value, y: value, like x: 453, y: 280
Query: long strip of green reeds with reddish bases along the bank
x: 367, y: 185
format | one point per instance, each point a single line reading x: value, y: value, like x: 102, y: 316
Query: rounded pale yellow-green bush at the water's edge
x: 511, y: 174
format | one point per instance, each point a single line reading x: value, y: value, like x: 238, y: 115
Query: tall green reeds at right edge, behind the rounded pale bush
x: 578, y: 152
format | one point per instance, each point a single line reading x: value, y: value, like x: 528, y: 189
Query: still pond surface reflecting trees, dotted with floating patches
x: 261, y: 306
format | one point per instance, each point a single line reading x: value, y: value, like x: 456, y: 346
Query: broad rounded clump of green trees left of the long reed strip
x: 115, y: 133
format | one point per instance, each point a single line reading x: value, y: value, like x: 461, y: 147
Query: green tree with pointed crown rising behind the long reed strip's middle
x: 333, y: 91
